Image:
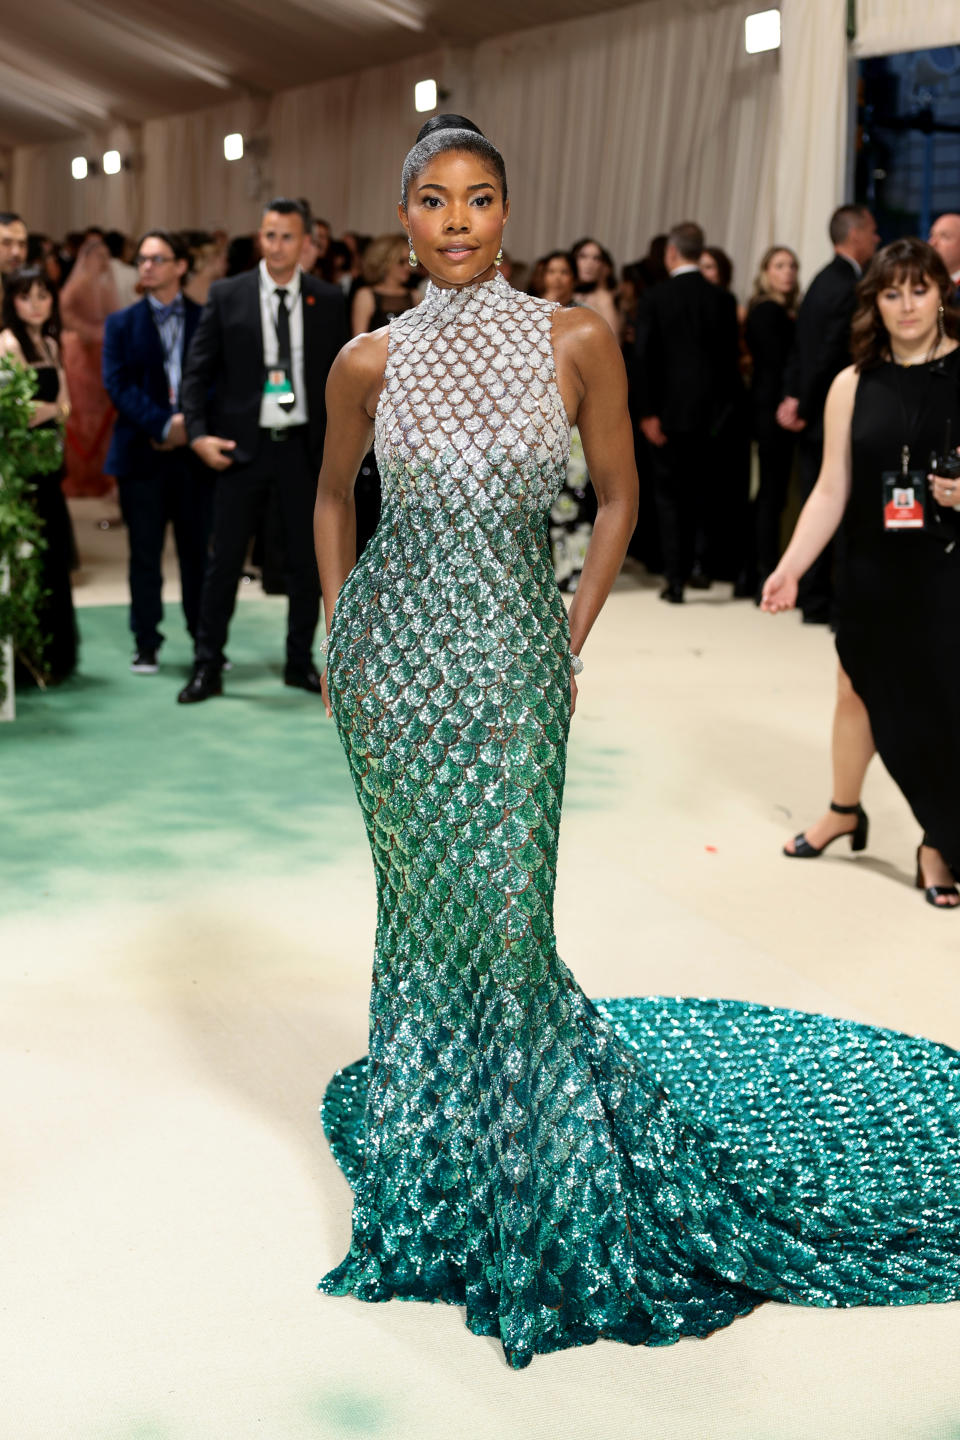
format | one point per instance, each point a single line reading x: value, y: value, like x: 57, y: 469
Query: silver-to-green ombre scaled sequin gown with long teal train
x: 568, y: 1170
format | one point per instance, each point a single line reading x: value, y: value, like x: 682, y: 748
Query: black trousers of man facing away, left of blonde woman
x: 681, y: 490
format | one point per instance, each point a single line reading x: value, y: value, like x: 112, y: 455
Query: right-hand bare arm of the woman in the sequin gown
x: 594, y: 382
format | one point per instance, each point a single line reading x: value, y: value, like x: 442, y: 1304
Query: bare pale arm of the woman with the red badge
x: 824, y: 510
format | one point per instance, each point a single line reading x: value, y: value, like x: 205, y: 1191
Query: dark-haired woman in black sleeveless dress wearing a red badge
x: 887, y: 417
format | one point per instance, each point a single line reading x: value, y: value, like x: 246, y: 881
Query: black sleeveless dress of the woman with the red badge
x: 899, y: 618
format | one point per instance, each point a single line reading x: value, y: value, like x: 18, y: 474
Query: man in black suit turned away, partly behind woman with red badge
x: 823, y: 349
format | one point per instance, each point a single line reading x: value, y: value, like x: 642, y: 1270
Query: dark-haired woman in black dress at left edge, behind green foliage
x: 30, y: 335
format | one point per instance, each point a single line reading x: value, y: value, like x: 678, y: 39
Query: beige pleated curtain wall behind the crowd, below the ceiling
x: 614, y: 126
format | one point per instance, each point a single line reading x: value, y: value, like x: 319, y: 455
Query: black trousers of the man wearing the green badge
x: 280, y: 479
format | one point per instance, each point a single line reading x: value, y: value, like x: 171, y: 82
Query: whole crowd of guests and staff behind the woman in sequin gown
x: 189, y: 372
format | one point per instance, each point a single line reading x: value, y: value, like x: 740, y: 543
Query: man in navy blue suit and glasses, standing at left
x: 159, y: 477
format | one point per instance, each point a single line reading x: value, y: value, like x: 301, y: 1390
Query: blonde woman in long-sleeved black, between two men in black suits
x: 769, y: 335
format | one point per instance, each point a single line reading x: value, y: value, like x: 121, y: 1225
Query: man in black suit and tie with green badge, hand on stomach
x: 254, y: 407
